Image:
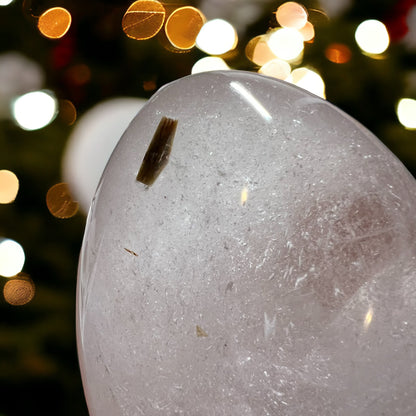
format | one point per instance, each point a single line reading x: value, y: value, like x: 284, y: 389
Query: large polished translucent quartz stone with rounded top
x: 268, y: 270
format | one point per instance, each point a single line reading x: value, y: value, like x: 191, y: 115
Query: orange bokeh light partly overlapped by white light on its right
x: 182, y: 27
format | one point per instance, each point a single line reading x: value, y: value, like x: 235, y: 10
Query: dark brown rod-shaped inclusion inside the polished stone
x: 157, y: 155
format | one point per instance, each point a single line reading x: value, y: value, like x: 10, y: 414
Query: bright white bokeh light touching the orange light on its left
x: 217, y: 37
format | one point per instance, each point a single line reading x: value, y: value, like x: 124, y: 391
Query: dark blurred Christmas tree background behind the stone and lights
x: 94, y: 61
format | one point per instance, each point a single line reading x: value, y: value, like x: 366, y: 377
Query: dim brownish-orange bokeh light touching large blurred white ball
x: 60, y: 202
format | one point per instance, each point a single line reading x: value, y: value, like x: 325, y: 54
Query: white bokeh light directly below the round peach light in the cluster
x: 286, y: 43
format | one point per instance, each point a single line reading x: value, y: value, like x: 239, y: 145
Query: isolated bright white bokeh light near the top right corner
x: 372, y: 37
